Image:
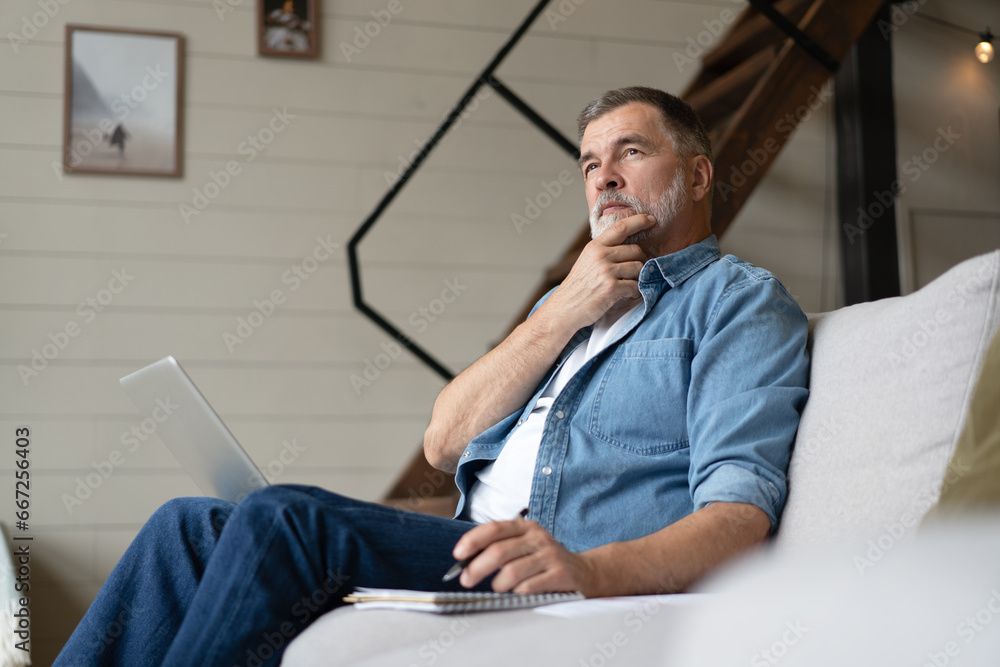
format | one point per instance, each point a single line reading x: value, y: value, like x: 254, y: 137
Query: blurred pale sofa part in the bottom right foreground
x: 933, y: 602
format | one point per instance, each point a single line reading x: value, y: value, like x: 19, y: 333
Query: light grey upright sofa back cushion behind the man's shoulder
x: 889, y: 388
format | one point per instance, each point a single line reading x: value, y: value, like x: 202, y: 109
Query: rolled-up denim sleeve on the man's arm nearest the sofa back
x: 749, y: 380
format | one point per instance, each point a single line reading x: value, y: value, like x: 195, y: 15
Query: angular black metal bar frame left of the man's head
x: 485, y: 78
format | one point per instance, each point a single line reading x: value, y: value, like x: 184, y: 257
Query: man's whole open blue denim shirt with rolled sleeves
x: 696, y: 400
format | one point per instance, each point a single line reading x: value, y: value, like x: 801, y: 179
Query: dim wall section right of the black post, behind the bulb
x: 950, y: 211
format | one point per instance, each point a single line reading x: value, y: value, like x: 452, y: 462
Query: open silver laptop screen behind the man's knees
x: 192, y: 430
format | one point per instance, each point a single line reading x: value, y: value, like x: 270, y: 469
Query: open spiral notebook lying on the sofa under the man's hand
x: 451, y: 602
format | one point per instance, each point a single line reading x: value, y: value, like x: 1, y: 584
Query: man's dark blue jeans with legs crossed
x: 207, y: 582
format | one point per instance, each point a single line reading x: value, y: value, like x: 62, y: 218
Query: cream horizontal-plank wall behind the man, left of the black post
x: 63, y: 237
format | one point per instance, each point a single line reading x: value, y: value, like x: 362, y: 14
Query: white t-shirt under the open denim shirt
x: 503, y: 487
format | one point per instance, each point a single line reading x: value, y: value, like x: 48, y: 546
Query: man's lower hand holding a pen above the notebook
x: 529, y: 560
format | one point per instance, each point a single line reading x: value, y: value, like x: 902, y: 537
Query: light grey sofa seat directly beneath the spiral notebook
x: 608, y: 631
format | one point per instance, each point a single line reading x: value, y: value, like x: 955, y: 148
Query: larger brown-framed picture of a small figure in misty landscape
x: 123, y: 102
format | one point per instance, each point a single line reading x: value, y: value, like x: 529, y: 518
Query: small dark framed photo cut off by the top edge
x: 288, y: 28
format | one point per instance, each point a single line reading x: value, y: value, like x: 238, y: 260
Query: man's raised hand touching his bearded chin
x: 606, y: 274
